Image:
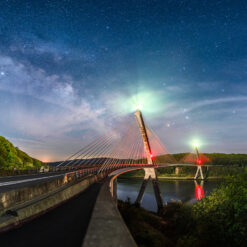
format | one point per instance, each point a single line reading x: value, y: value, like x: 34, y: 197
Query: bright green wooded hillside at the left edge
x: 12, y: 157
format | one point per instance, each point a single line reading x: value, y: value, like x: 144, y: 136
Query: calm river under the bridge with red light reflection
x: 185, y: 190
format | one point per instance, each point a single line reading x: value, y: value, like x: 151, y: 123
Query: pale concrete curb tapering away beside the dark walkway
x: 107, y: 227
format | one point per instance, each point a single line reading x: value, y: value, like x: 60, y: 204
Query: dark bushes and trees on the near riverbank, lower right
x: 217, y: 220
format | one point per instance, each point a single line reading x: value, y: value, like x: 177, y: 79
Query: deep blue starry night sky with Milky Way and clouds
x: 69, y: 70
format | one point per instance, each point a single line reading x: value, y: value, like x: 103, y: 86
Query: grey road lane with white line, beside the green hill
x: 17, y: 182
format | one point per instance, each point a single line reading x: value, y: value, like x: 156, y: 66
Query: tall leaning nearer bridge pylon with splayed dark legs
x: 149, y: 172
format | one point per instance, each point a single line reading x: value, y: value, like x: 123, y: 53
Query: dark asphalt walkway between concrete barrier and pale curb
x: 64, y: 226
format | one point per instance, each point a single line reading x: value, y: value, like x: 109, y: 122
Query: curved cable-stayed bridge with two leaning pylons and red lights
x: 88, y: 176
